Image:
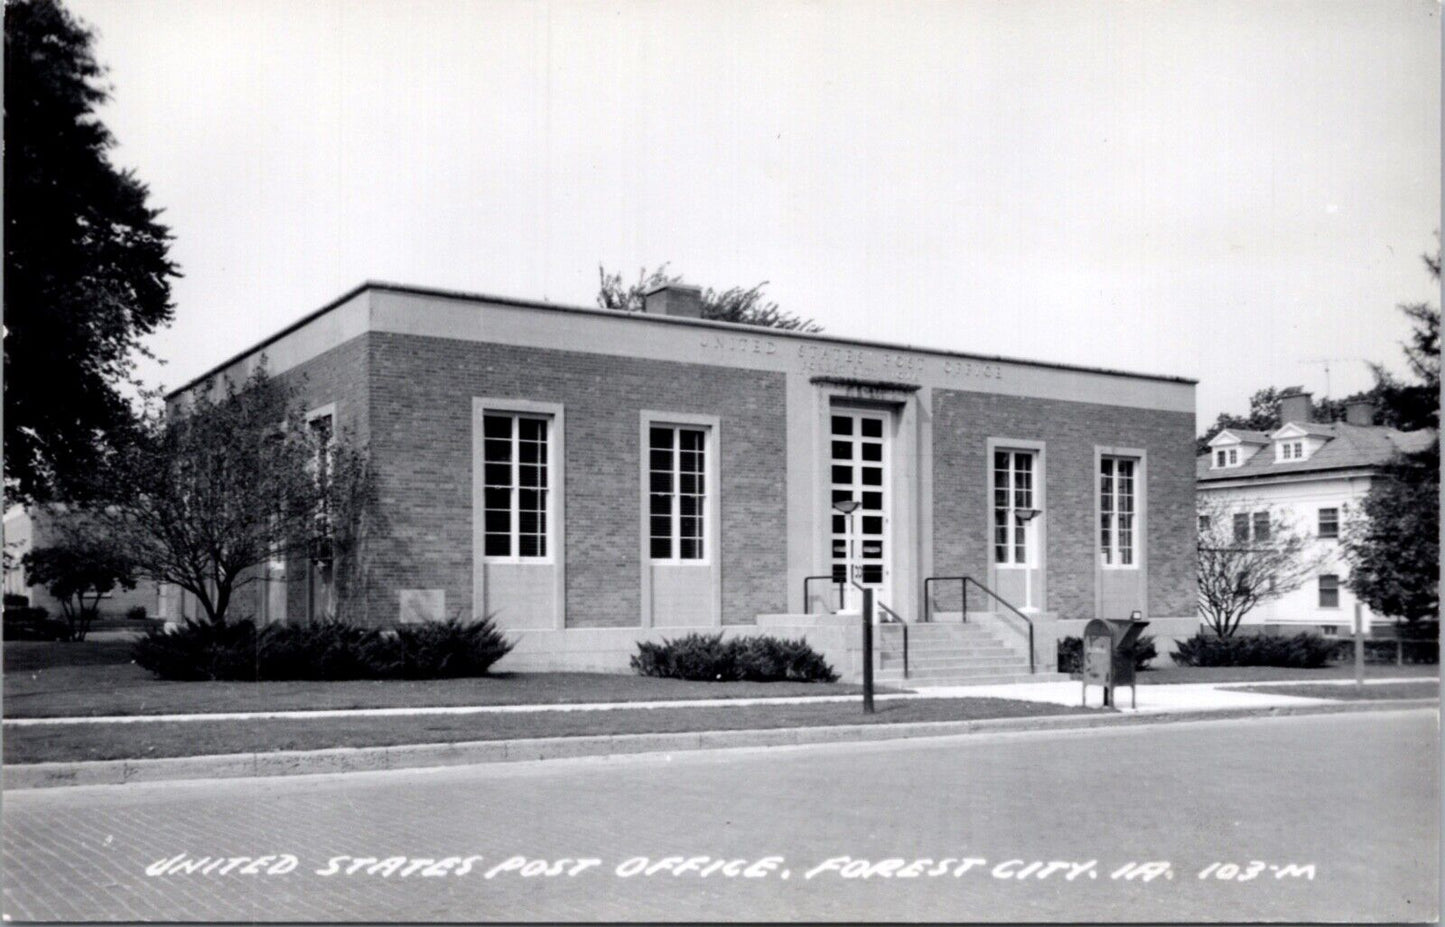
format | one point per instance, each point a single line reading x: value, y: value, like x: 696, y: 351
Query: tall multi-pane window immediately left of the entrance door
x: 677, y: 493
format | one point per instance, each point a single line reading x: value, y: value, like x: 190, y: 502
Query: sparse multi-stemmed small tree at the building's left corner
x: 206, y: 496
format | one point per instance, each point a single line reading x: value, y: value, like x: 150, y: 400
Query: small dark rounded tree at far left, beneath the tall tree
x: 79, y: 573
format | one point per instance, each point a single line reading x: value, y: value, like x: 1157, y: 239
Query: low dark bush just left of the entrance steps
x: 709, y: 658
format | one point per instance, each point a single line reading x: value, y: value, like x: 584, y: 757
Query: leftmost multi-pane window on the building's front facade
x: 515, y: 486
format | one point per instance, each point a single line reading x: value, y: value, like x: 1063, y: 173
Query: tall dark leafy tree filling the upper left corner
x: 86, y: 262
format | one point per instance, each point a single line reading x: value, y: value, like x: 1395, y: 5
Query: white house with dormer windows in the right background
x: 1316, y: 476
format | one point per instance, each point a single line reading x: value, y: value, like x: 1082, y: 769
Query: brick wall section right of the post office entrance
x: 963, y: 424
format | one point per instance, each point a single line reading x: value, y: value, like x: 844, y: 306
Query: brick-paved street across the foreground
x: 1353, y: 796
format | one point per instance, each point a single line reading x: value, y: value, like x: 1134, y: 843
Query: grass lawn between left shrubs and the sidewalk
x: 98, y: 678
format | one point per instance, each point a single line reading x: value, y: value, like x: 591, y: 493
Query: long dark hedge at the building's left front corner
x: 335, y: 650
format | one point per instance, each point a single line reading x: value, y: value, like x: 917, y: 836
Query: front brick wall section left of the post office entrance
x: 421, y: 398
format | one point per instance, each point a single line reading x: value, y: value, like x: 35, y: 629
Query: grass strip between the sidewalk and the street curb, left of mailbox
x: 148, y: 740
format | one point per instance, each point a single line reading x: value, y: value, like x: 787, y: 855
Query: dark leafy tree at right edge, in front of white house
x: 1394, y: 539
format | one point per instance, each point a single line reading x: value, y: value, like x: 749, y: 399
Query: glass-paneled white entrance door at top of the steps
x: 860, y: 544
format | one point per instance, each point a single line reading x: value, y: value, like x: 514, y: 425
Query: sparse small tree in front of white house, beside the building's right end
x: 1246, y: 562
